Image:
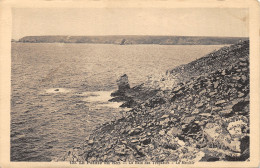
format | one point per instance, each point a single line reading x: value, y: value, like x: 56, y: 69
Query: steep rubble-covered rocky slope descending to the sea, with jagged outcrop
x: 195, y: 112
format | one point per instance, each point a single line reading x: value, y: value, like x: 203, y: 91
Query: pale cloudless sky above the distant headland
x: 130, y: 21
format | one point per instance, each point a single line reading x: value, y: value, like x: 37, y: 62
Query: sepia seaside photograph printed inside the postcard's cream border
x: 123, y: 85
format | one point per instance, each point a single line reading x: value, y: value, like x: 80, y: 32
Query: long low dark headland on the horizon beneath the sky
x: 133, y: 39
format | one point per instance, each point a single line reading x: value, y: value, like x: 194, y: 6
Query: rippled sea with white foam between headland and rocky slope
x: 60, y: 92
